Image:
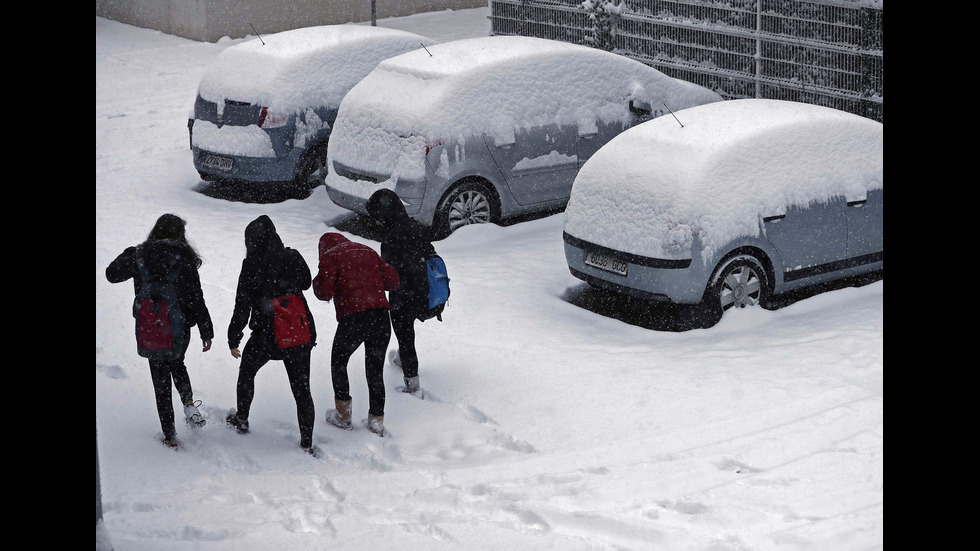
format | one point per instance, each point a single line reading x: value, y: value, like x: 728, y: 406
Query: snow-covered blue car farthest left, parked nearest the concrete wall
x: 265, y: 107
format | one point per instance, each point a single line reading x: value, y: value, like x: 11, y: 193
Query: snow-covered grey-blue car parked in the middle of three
x: 483, y: 129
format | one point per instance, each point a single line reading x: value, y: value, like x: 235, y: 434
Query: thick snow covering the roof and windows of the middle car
x: 491, y: 86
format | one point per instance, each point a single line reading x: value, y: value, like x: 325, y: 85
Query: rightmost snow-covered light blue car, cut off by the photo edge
x: 748, y: 199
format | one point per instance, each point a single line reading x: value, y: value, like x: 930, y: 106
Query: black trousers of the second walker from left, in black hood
x: 257, y: 353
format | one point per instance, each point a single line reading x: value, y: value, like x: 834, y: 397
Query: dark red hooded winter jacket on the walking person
x: 352, y: 275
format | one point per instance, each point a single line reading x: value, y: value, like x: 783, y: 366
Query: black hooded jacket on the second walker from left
x: 269, y: 271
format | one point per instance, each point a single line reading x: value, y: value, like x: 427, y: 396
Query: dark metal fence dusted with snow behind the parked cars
x: 826, y: 52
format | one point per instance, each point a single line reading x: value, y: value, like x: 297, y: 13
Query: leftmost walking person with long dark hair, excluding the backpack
x: 166, y: 255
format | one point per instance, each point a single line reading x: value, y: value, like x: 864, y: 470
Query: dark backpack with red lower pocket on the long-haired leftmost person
x: 161, y: 326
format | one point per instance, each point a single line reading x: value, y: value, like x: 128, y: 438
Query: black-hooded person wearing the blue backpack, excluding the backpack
x: 405, y: 245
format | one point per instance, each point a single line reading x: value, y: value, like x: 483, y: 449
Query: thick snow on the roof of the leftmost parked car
x: 307, y: 67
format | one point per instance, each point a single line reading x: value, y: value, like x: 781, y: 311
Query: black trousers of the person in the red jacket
x: 373, y: 329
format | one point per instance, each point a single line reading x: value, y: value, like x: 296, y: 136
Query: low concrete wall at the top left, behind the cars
x: 209, y: 20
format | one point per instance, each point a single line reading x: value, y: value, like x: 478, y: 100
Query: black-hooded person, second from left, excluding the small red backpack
x: 270, y: 270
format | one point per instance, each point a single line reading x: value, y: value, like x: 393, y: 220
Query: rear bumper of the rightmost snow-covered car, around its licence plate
x: 679, y: 281
